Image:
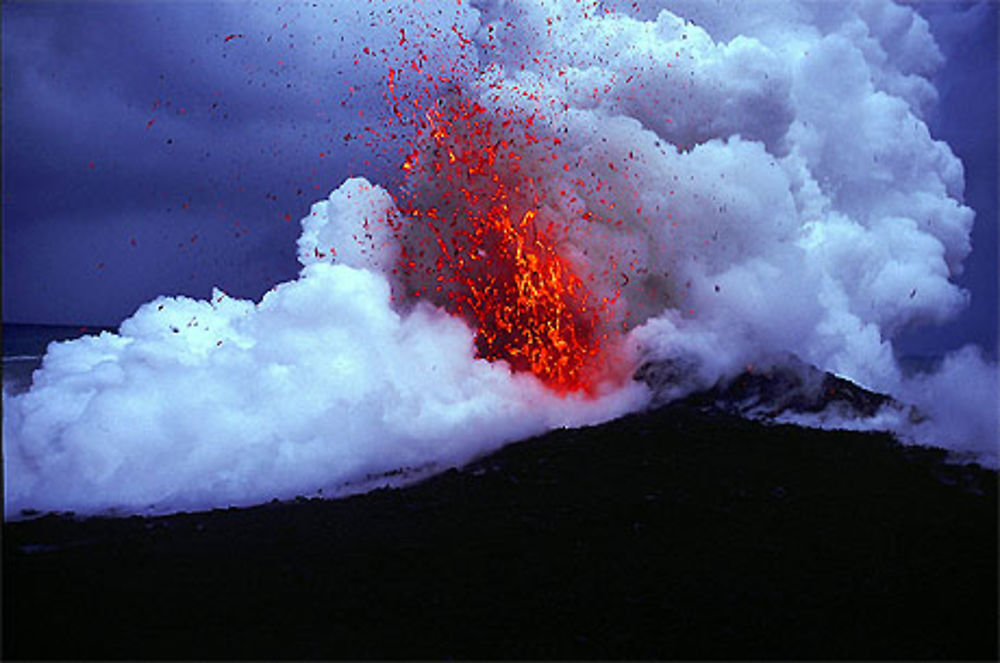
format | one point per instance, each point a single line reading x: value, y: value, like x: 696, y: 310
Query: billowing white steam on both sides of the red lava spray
x: 778, y: 191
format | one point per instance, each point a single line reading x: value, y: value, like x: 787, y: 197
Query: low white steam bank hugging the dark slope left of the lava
x: 210, y: 403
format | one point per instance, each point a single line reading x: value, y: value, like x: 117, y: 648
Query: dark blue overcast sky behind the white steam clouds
x: 146, y: 154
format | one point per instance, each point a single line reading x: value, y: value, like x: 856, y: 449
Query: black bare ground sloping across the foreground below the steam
x: 672, y: 534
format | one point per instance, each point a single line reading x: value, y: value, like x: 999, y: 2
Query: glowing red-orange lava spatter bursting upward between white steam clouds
x: 473, y: 242
